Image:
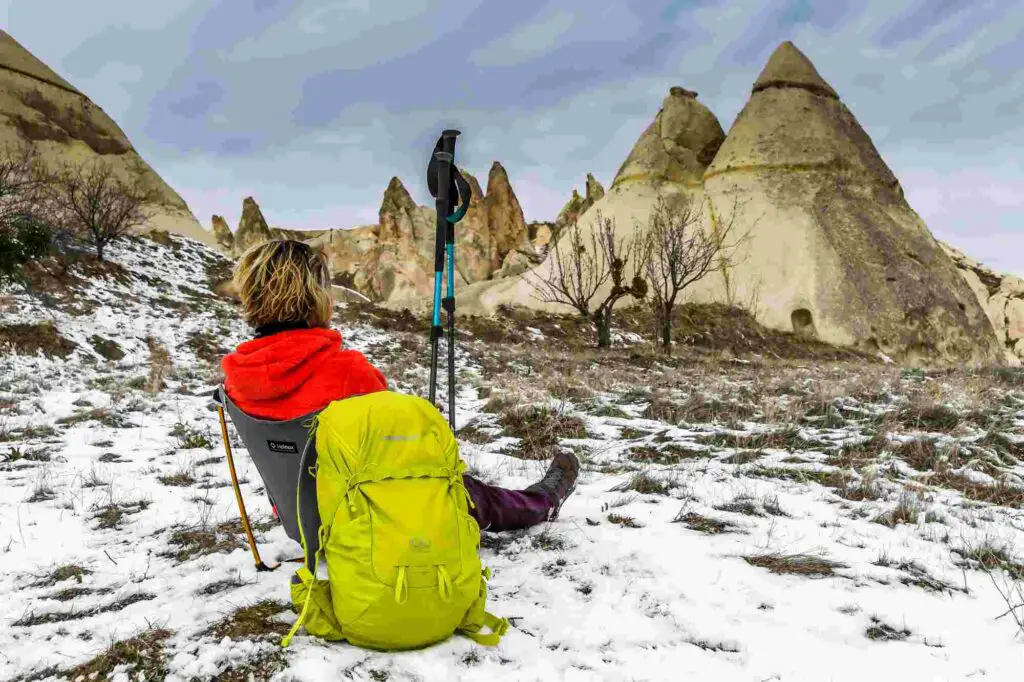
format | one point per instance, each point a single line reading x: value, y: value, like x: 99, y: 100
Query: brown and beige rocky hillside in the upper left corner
x: 39, y: 106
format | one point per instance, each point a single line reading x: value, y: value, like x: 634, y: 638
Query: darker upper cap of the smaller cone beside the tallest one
x: 678, y: 145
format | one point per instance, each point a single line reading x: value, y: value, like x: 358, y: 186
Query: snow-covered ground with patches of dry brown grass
x: 747, y: 547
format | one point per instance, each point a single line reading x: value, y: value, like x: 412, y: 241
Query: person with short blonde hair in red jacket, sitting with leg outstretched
x: 296, y: 365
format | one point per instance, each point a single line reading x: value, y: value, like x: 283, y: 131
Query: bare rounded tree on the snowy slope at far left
x: 97, y: 204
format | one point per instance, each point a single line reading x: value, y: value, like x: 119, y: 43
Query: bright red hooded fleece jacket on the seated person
x: 294, y: 373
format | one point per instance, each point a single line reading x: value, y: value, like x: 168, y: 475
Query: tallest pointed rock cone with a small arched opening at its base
x: 834, y: 245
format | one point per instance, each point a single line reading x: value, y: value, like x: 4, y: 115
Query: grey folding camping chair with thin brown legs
x: 285, y: 455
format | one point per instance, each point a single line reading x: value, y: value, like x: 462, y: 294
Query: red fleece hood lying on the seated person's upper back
x: 276, y: 367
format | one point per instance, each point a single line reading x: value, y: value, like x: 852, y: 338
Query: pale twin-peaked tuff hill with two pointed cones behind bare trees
x: 835, y: 251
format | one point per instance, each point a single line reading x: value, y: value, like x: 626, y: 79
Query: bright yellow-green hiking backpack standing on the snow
x: 396, y: 531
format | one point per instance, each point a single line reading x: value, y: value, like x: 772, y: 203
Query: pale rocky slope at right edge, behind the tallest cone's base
x: 1002, y: 296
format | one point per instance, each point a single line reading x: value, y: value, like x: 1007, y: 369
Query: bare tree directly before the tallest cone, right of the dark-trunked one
x: 680, y: 252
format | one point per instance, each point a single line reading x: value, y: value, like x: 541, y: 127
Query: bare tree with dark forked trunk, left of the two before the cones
x: 581, y: 267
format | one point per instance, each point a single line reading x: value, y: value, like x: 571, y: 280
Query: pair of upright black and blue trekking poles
x: 446, y: 185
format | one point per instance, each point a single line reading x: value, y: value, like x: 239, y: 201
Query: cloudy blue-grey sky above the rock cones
x: 313, y: 106
